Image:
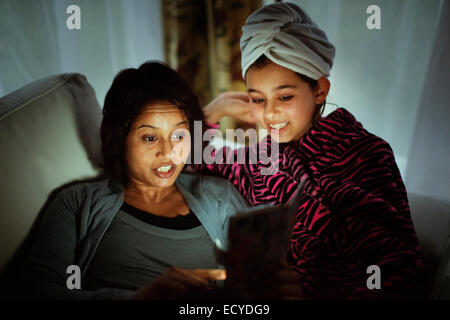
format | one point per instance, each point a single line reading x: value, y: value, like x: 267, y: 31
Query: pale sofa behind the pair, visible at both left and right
x: 49, y: 137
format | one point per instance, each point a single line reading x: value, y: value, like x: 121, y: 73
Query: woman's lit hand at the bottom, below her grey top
x: 176, y: 283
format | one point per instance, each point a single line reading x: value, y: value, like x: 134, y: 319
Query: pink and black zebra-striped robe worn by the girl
x: 354, y: 212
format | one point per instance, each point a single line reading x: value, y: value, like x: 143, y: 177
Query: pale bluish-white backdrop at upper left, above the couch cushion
x: 35, y: 42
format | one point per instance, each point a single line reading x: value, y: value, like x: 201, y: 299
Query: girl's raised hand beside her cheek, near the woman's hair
x: 230, y: 104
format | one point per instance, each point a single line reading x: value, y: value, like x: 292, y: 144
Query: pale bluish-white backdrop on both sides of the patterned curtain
x: 393, y: 80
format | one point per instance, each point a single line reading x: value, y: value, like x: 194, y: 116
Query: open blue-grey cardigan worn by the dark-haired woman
x: 76, y: 220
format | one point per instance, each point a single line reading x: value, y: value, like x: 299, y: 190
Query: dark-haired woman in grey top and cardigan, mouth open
x: 147, y: 230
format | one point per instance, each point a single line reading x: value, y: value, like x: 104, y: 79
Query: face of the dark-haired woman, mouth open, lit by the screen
x: 158, y: 145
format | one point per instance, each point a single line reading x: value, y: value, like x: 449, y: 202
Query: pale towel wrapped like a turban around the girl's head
x: 286, y: 35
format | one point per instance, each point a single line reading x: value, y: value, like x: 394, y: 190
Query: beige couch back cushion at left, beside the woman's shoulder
x: 48, y: 137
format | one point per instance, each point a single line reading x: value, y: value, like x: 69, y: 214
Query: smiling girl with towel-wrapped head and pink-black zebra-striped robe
x: 355, y: 213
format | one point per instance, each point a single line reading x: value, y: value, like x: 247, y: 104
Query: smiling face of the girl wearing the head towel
x: 281, y: 101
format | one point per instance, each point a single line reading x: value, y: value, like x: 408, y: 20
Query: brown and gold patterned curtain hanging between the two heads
x: 201, y: 39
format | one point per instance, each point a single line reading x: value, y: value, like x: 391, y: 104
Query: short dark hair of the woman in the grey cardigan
x: 131, y: 90
